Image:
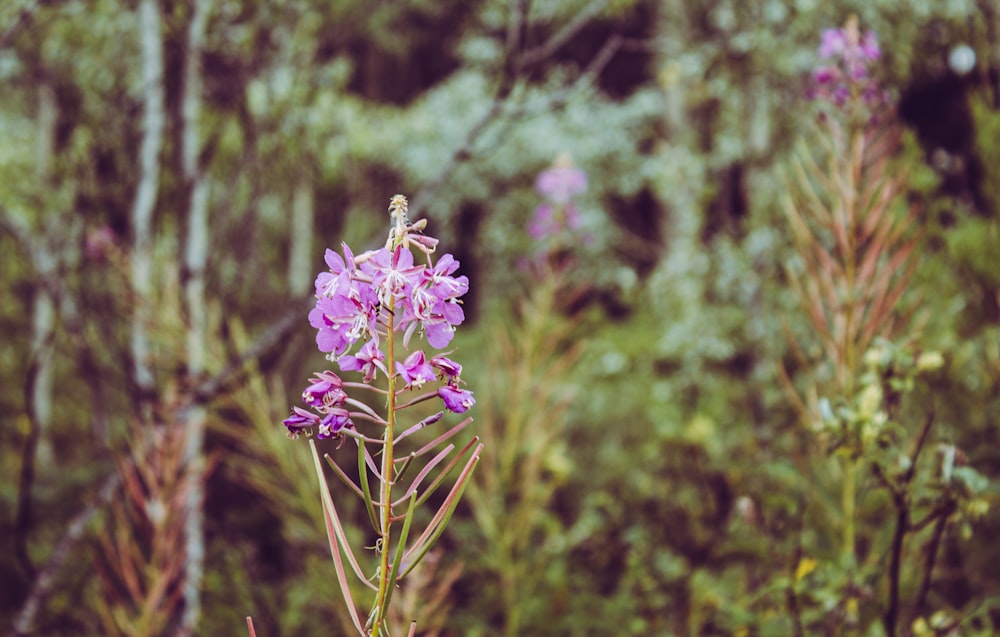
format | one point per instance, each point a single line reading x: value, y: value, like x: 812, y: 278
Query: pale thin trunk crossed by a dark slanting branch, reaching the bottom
x: 195, y: 260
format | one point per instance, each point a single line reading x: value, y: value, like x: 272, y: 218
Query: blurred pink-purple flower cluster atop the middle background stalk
x: 558, y: 185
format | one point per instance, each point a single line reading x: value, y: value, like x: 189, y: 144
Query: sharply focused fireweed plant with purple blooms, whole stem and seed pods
x: 373, y: 312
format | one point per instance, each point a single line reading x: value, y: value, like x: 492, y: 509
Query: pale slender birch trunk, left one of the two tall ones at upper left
x: 151, y: 40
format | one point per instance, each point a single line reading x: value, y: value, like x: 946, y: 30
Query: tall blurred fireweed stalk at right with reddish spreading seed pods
x: 855, y: 240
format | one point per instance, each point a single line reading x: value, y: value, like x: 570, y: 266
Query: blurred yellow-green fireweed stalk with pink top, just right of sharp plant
x: 524, y: 411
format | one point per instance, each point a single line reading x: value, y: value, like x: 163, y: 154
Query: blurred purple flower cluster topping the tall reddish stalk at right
x: 846, y: 77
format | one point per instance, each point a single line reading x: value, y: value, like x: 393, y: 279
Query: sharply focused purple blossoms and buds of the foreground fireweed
x: 359, y: 299
